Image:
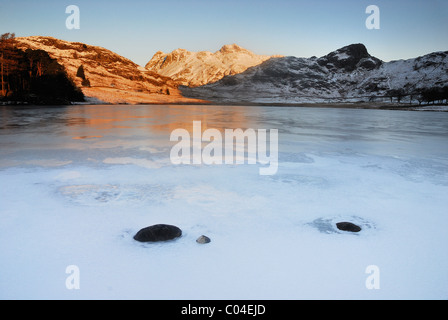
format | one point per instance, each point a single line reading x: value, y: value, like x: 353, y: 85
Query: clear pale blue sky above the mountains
x: 137, y: 29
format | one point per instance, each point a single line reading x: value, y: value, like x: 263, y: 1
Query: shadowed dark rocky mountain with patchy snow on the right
x: 349, y: 74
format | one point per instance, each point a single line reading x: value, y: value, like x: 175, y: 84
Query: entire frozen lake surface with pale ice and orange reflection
x: 77, y: 182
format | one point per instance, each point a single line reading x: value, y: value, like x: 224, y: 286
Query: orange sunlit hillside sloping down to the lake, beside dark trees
x: 106, y: 76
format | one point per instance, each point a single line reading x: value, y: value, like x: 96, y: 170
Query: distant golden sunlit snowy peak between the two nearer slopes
x: 198, y: 68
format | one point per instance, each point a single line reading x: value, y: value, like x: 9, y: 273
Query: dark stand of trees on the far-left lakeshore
x: 32, y: 76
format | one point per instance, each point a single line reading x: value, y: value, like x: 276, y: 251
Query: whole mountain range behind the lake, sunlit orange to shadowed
x: 236, y: 75
